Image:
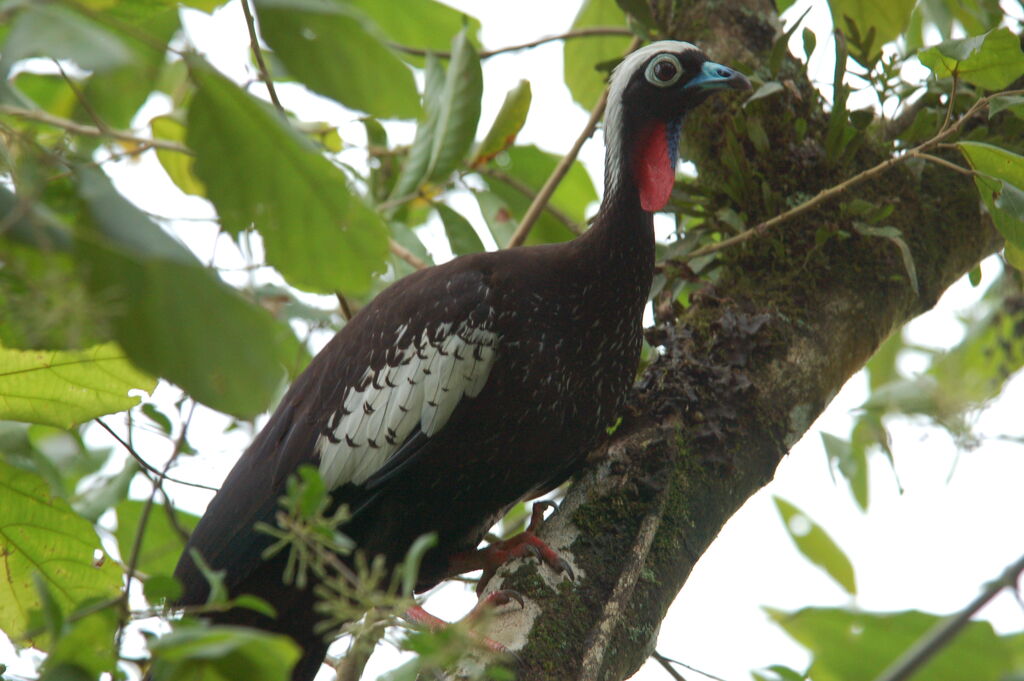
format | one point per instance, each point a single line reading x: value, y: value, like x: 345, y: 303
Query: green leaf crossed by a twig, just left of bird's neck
x: 529, y: 168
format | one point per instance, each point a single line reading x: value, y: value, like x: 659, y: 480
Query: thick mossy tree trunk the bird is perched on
x: 745, y: 370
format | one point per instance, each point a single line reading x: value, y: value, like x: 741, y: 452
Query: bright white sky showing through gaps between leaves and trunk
x: 956, y: 526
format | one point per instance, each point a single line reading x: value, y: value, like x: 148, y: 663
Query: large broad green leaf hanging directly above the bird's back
x: 317, y: 233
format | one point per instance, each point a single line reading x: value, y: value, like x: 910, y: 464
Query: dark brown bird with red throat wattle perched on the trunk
x: 465, y: 389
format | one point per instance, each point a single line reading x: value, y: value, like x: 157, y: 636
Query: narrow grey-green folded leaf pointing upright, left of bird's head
x: 452, y: 103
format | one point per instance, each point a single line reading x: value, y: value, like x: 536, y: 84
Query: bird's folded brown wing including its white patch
x: 364, y: 409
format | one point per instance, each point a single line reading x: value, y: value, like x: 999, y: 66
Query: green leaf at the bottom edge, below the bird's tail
x: 215, y: 654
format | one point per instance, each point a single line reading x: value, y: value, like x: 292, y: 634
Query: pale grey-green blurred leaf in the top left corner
x: 51, y: 30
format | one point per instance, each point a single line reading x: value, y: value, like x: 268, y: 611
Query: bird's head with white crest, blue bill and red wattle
x: 649, y: 96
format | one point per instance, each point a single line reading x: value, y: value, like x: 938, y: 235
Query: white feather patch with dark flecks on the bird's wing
x: 426, y: 384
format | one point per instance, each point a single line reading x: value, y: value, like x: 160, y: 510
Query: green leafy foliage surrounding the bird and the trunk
x: 100, y: 300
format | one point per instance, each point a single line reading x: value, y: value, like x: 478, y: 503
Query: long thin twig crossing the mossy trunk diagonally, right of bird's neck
x: 833, y: 192
